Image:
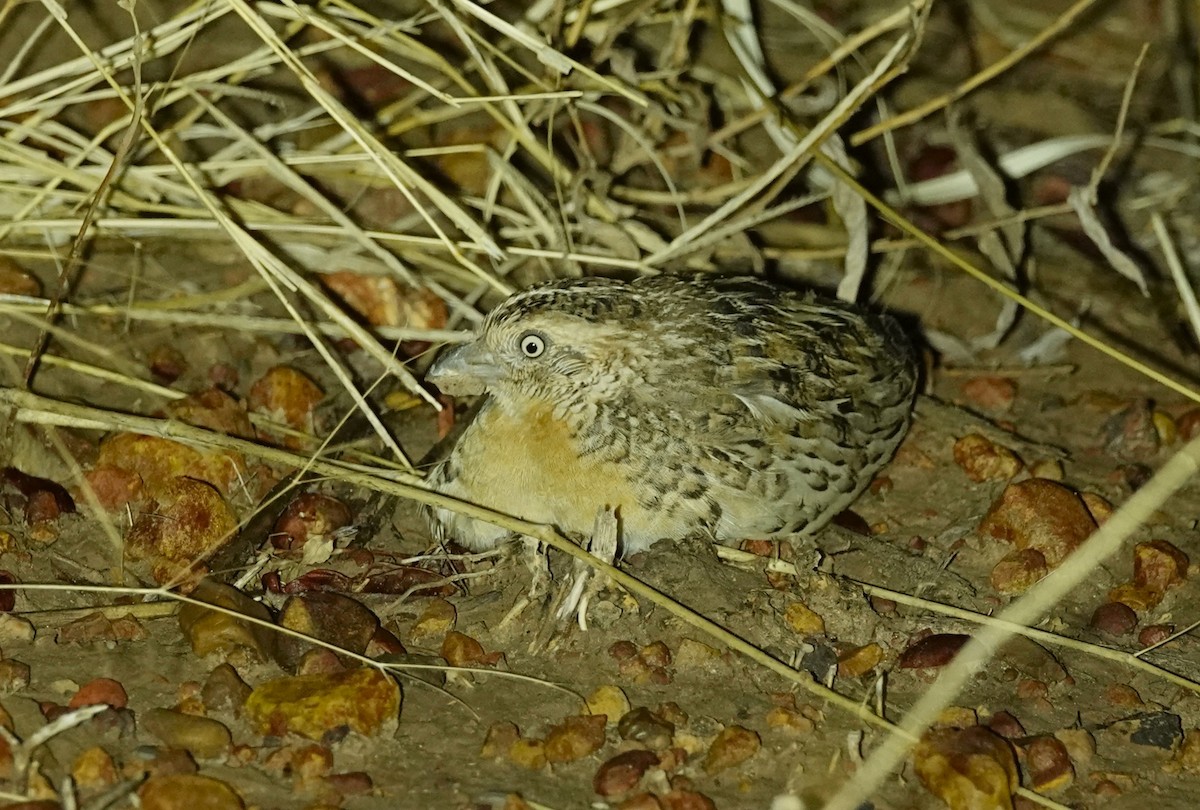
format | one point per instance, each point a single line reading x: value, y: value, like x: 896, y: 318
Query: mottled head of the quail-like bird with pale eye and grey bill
x: 556, y: 341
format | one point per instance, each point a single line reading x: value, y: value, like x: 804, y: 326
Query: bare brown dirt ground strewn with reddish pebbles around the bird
x: 1084, y: 729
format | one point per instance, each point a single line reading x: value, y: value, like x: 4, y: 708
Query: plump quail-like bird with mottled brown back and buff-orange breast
x: 718, y: 407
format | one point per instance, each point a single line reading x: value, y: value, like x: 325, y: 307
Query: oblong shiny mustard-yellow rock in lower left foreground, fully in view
x: 363, y: 700
